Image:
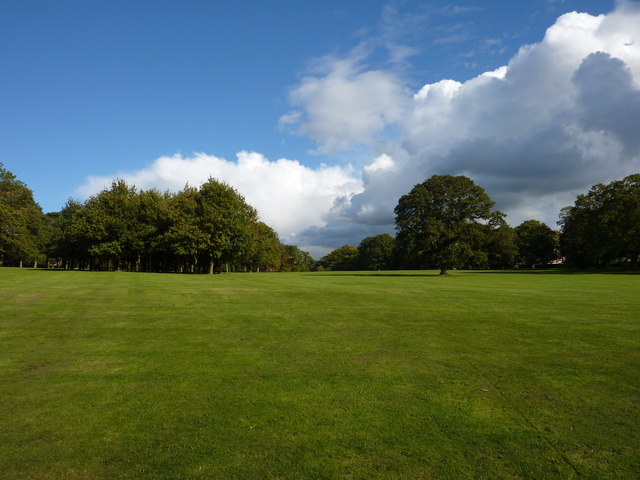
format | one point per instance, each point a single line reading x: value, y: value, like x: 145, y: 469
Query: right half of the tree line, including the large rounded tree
x: 447, y: 222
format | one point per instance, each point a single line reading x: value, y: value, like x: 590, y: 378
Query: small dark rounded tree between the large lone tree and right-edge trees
x: 537, y: 243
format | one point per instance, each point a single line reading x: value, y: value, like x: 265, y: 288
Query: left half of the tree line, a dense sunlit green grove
x: 196, y: 230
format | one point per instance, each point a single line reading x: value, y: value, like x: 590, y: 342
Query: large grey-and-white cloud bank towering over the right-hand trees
x: 561, y: 116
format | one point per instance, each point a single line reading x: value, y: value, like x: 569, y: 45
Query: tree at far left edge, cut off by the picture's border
x: 20, y: 221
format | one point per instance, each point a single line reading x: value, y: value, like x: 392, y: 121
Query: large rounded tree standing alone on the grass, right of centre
x: 437, y: 222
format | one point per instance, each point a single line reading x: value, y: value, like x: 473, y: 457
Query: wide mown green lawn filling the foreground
x: 391, y: 375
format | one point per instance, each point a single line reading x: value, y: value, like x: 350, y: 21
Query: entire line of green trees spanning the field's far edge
x: 446, y: 222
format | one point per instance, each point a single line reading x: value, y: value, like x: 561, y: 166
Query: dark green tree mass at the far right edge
x: 603, y: 226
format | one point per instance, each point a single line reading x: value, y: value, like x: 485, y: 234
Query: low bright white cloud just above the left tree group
x: 289, y: 196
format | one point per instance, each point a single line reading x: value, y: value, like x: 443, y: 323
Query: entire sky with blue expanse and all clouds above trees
x: 322, y: 114
